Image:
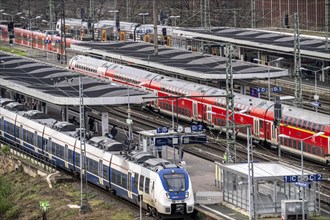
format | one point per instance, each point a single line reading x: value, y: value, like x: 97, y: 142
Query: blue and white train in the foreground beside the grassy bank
x: 166, y: 188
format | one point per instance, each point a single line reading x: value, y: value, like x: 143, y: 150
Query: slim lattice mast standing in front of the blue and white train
x: 84, y: 207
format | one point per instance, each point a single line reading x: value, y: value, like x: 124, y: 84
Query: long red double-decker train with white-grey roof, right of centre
x: 296, y: 122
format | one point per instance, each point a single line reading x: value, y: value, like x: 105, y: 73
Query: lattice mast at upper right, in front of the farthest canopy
x: 297, y: 63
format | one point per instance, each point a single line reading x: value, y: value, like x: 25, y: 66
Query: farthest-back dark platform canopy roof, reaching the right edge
x: 270, y: 40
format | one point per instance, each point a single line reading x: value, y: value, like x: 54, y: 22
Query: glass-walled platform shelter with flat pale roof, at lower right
x: 270, y: 184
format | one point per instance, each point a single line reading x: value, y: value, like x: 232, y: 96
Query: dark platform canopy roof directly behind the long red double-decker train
x: 185, y: 63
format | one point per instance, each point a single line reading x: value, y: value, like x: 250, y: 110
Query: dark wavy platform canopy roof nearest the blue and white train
x: 60, y: 86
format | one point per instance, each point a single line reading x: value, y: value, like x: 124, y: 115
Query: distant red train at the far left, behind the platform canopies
x: 47, y: 41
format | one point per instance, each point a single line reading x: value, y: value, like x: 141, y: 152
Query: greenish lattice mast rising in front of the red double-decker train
x: 230, y: 108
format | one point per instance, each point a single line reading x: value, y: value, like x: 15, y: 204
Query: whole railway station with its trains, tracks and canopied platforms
x: 174, y: 170
